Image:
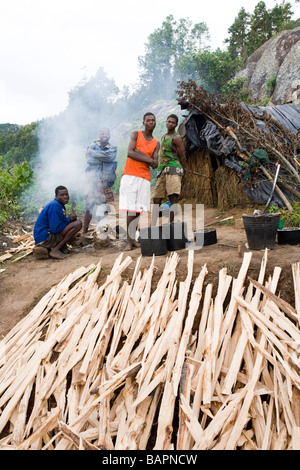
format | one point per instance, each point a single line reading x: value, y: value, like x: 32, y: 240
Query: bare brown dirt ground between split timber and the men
x: 25, y: 282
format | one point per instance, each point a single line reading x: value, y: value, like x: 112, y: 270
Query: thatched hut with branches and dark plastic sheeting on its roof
x: 220, y: 170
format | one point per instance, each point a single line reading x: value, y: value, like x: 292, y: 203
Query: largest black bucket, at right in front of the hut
x: 261, y: 230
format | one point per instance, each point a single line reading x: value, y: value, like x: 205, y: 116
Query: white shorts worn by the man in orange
x: 135, y: 194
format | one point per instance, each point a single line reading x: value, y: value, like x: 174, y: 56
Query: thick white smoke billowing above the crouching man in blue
x: 63, y: 139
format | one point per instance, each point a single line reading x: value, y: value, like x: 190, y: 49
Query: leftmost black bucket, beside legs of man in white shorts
x: 152, y: 241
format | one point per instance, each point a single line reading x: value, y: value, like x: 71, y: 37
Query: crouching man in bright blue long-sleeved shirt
x: 53, y: 230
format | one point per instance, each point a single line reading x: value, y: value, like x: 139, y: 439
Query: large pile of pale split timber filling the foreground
x: 123, y: 365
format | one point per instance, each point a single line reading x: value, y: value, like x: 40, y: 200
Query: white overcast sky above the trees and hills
x: 48, y: 46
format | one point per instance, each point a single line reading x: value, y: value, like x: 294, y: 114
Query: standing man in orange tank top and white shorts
x: 135, y: 194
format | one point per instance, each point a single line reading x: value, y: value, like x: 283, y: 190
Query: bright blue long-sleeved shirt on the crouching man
x: 52, y: 219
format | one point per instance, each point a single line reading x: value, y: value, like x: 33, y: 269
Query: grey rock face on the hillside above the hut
x: 279, y: 56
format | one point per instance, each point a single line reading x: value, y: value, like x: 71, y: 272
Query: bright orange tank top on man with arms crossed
x: 141, y: 169
